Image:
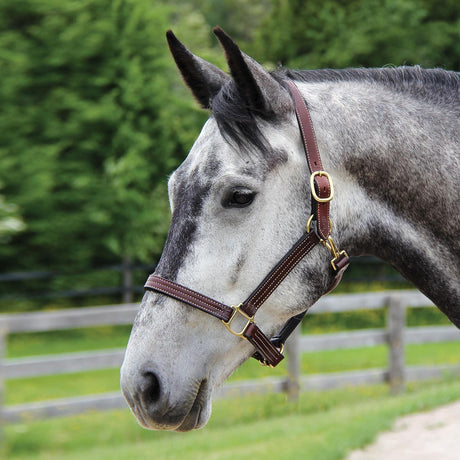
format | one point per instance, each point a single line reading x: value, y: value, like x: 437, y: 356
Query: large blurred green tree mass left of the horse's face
x: 91, y: 122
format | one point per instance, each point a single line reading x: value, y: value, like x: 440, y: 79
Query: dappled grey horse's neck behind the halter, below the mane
x: 397, y: 182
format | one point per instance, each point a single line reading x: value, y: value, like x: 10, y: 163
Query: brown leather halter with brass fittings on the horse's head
x: 269, y: 351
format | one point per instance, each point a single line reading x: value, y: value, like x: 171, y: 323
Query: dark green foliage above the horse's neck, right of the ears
x: 342, y: 33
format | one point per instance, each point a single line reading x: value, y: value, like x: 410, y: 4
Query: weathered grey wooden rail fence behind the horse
x: 395, y: 335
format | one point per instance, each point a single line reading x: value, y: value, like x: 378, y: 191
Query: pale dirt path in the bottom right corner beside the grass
x: 423, y: 436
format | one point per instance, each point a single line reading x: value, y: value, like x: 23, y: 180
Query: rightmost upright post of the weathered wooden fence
x: 396, y: 321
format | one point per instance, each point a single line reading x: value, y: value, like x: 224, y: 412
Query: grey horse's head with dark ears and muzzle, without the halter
x: 239, y: 201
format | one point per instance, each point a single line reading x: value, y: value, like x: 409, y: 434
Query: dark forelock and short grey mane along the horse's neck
x: 239, y: 124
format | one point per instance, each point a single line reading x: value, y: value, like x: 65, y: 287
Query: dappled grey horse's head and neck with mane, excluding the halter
x: 388, y: 138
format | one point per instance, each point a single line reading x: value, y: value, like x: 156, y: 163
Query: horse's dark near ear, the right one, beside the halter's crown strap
x: 259, y: 89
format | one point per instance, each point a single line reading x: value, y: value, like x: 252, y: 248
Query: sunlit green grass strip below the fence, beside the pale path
x: 322, y: 426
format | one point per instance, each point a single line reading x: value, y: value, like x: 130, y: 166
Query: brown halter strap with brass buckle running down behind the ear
x: 323, y: 187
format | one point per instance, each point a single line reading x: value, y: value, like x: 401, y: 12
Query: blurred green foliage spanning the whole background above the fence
x: 94, y: 116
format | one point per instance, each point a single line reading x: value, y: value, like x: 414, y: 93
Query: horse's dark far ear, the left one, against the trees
x: 203, y: 78
